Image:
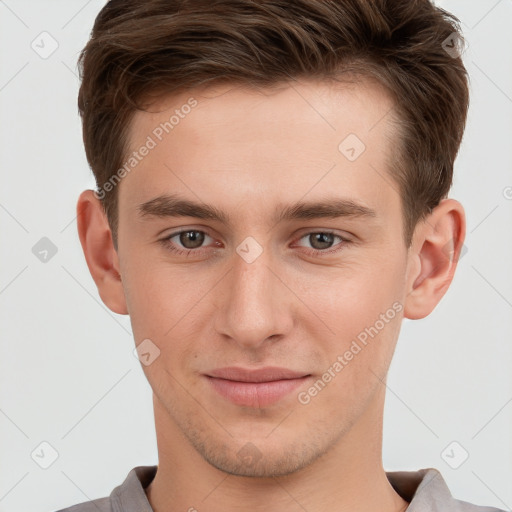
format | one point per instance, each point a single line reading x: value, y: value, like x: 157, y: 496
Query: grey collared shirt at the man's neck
x: 425, y: 490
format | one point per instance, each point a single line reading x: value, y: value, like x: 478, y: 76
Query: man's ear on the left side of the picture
x: 100, y: 254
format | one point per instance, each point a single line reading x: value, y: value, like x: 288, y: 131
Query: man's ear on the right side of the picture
x: 433, y: 256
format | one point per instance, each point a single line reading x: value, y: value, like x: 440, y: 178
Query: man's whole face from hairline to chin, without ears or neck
x: 295, y: 261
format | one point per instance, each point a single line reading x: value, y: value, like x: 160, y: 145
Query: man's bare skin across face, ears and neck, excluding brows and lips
x: 247, y: 152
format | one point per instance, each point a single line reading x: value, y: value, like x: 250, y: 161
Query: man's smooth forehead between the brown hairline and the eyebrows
x: 248, y: 147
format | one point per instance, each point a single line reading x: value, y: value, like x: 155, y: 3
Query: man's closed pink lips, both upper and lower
x: 255, y: 388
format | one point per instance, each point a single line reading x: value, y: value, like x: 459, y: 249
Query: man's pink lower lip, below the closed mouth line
x: 255, y: 394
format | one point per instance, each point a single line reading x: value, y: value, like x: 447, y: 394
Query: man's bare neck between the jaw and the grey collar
x: 348, y: 477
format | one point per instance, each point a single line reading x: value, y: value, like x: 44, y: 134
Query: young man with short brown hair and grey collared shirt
x: 271, y: 202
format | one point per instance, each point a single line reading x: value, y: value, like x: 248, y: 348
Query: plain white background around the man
x: 68, y: 374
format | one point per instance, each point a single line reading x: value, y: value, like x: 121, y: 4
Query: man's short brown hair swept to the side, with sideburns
x: 140, y: 47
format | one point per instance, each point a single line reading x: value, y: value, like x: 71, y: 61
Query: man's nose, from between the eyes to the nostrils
x: 255, y: 303
